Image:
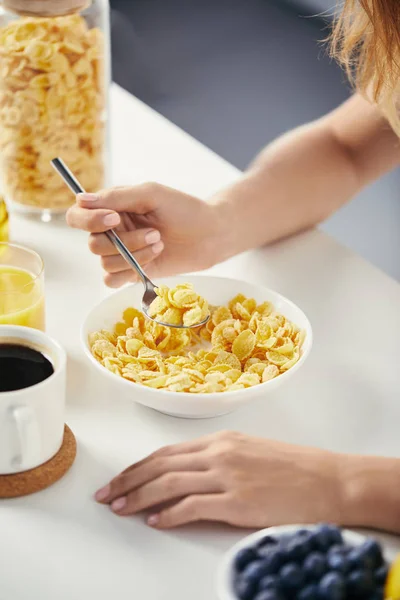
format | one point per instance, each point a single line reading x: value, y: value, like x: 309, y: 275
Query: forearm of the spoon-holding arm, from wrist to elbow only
x: 294, y: 184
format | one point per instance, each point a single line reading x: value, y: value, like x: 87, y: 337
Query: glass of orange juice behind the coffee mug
x: 21, y: 287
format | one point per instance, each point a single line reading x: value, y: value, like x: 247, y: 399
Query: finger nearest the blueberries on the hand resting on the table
x: 201, y: 507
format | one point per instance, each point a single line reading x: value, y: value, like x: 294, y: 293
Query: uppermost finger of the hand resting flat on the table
x: 144, y: 472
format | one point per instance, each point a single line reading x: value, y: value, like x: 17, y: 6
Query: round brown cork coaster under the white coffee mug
x: 40, y: 478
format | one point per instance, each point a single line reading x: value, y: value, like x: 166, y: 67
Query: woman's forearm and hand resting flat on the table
x: 256, y: 483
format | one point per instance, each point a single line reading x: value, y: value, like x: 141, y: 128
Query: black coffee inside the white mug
x: 21, y: 367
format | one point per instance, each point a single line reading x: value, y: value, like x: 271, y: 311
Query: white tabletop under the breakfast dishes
x: 59, y: 544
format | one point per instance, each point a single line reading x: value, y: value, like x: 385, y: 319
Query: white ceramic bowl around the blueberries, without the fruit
x: 225, y: 575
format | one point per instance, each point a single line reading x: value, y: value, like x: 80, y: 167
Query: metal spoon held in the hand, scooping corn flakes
x: 149, y: 287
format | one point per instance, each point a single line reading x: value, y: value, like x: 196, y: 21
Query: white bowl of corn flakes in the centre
x: 253, y: 342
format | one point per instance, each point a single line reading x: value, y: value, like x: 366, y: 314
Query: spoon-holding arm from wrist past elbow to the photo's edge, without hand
x: 306, y: 175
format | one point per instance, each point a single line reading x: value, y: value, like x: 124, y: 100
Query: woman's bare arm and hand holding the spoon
x: 295, y: 183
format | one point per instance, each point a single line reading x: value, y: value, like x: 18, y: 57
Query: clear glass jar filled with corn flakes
x: 54, y: 81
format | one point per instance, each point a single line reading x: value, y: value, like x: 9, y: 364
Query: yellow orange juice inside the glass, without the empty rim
x: 21, y: 298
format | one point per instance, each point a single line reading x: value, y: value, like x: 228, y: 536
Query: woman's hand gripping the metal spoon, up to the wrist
x: 169, y: 232
